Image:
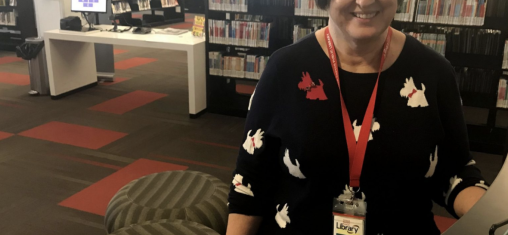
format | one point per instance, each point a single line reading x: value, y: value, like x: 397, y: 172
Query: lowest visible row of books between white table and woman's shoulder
x: 241, y: 66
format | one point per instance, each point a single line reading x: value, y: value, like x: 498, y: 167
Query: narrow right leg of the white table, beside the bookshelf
x: 196, y: 63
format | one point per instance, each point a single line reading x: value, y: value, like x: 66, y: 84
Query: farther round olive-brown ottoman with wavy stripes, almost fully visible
x: 184, y: 195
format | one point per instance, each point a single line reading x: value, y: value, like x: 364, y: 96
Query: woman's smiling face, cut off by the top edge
x: 362, y: 19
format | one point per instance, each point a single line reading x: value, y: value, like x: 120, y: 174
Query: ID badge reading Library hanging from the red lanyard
x: 349, y: 214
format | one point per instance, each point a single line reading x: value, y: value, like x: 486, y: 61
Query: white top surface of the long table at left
x: 177, y: 42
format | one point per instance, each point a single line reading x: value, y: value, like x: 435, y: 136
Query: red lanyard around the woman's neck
x: 356, y: 150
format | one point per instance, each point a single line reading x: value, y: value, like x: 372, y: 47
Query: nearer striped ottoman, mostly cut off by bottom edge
x: 166, y: 227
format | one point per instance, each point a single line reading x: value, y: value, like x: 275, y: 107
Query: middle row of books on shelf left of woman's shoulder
x: 239, y: 33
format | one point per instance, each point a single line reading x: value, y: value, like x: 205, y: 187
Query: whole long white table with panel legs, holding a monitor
x: 71, y: 59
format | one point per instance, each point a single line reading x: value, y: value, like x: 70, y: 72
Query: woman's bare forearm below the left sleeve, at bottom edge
x: 243, y: 224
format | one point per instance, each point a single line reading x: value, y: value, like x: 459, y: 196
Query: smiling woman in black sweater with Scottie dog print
x: 295, y: 158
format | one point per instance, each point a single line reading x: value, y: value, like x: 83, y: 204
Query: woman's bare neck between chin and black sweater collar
x: 357, y: 56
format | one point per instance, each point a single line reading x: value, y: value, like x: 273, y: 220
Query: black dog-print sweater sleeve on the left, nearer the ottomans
x: 256, y: 167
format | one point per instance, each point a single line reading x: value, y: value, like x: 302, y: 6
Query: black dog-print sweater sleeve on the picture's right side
x: 456, y: 167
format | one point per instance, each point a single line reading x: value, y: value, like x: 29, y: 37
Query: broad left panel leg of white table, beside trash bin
x: 71, y: 66
